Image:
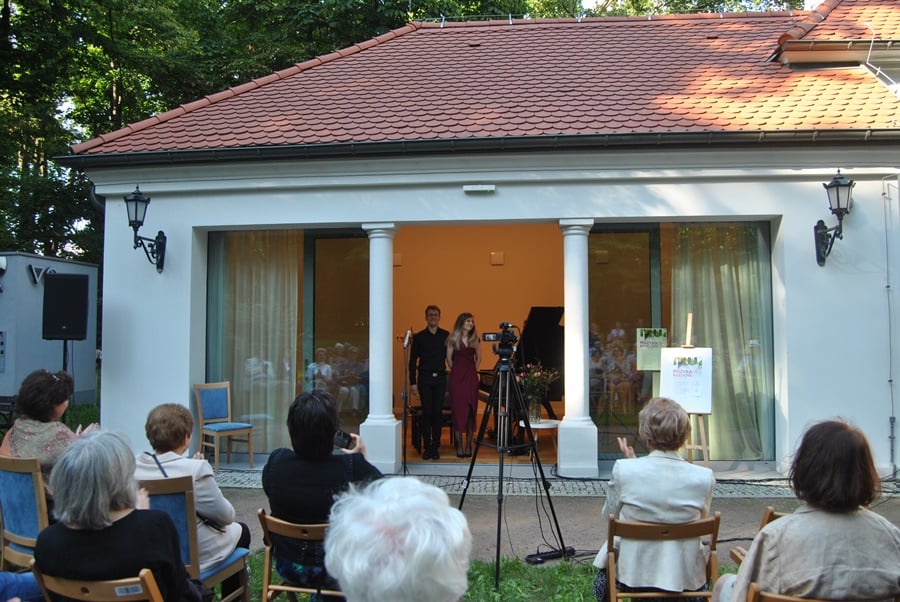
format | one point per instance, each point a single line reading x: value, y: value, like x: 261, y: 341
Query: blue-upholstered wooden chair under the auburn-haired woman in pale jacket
x: 175, y: 497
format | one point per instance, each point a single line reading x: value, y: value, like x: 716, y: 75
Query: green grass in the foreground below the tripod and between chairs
x: 519, y: 582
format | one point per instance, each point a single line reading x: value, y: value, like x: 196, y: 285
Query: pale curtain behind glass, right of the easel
x: 721, y: 274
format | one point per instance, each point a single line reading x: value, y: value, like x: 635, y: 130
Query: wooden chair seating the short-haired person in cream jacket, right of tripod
x: 704, y: 527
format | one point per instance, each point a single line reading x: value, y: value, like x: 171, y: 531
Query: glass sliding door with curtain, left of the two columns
x: 274, y: 297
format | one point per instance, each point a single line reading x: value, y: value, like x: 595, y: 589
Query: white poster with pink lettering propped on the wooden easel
x: 686, y: 377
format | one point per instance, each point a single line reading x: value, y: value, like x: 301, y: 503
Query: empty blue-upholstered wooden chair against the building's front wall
x: 214, y: 414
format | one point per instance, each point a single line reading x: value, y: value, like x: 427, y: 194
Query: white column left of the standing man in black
x: 381, y: 430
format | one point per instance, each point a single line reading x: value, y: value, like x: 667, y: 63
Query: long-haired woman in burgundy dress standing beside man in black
x: 463, y: 357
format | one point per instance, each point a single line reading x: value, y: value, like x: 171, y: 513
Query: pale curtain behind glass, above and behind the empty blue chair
x: 253, y: 326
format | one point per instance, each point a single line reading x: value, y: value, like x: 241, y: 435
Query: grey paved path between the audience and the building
x: 525, y: 518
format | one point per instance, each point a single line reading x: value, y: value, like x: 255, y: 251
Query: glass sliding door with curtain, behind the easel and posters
x: 654, y: 276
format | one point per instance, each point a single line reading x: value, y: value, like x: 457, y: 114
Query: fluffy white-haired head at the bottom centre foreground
x: 398, y: 539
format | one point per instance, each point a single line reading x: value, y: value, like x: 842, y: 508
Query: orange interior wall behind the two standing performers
x: 451, y: 267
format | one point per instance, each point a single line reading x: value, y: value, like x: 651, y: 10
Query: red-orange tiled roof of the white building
x: 694, y: 74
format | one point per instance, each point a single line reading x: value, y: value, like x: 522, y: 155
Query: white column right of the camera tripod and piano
x: 577, y: 433
